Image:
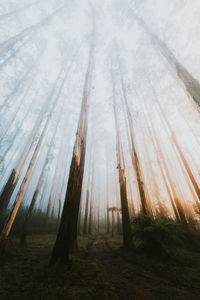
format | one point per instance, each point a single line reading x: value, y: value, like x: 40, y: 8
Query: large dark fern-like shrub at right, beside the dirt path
x: 159, y: 236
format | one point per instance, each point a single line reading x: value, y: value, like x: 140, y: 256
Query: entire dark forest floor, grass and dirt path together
x: 99, y: 271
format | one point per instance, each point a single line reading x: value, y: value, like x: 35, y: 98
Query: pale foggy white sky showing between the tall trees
x: 29, y: 70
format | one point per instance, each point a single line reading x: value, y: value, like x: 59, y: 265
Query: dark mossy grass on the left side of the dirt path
x: 25, y: 274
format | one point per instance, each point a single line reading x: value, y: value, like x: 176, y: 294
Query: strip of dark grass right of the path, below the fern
x: 183, y: 270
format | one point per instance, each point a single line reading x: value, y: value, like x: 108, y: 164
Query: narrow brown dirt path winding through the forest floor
x: 129, y: 281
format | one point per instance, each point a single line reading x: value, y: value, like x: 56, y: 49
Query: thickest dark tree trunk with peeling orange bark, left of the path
x: 67, y: 233
